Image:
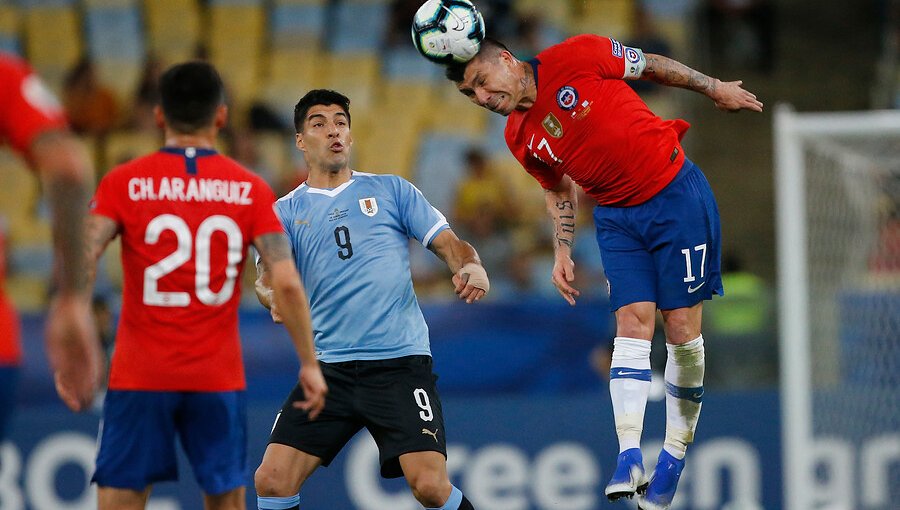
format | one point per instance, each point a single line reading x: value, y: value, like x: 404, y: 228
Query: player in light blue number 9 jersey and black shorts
x: 350, y: 235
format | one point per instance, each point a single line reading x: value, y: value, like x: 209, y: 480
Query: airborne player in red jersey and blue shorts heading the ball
x: 572, y: 120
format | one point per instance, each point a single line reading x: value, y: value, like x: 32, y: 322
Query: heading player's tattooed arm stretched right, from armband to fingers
x: 728, y: 96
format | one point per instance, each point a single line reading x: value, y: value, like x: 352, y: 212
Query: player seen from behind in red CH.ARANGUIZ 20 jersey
x: 186, y: 216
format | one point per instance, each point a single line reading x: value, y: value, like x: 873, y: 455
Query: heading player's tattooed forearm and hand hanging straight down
x: 562, y: 203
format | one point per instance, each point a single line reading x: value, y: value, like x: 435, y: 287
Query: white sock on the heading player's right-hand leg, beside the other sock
x: 684, y: 393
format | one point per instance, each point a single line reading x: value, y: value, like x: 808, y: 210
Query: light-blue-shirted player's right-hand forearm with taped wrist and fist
x: 470, y: 280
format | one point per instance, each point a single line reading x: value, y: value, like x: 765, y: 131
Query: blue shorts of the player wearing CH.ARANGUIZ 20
x: 137, y: 439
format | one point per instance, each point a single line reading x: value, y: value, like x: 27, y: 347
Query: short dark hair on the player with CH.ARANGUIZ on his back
x: 189, y: 95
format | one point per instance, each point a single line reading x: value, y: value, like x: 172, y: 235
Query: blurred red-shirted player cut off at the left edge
x: 32, y: 122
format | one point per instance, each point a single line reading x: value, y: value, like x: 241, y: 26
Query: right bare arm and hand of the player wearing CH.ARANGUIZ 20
x: 290, y: 297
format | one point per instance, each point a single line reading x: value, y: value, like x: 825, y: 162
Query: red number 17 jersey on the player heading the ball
x: 587, y: 123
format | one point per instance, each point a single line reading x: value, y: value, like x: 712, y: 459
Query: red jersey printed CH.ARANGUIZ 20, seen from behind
x: 186, y: 217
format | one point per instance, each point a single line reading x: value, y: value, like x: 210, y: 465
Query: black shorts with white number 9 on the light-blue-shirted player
x: 395, y: 399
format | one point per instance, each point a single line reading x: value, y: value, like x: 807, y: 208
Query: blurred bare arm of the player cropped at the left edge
x: 73, y: 346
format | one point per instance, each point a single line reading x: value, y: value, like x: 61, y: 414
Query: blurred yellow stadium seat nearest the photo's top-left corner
x: 53, y: 41
